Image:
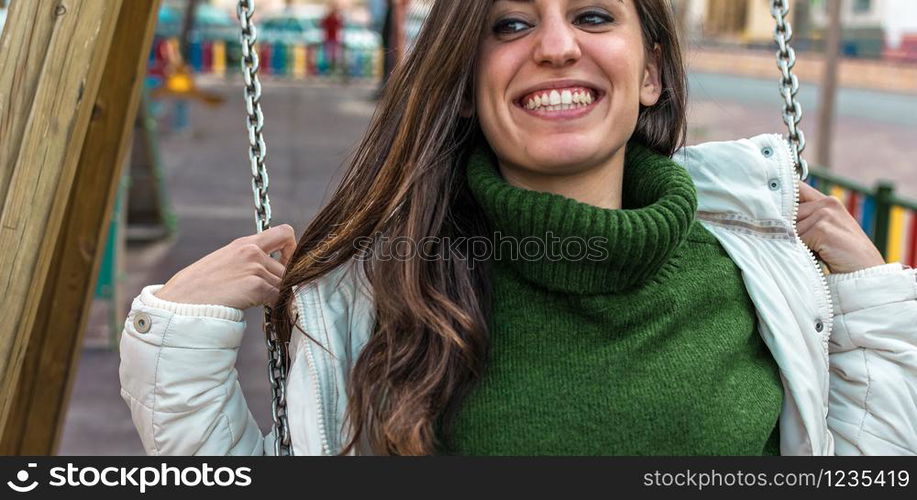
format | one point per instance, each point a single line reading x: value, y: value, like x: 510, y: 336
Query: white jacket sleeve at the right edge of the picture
x: 873, y: 361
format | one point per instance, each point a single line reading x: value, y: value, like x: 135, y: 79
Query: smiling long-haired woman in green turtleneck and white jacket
x: 580, y: 287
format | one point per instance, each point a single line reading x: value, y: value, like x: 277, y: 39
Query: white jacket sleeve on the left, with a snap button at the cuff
x: 179, y: 379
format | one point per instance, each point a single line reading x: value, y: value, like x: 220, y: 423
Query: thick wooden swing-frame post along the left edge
x: 76, y: 68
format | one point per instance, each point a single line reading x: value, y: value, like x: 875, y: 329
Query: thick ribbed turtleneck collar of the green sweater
x: 623, y: 248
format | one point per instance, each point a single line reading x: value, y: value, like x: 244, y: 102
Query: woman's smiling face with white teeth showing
x: 560, y: 82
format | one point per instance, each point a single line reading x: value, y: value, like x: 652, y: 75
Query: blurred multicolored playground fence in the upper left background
x: 279, y: 59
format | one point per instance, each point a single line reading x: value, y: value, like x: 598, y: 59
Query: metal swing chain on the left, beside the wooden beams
x: 277, y: 355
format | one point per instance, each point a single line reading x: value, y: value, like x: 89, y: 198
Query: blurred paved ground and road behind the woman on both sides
x: 310, y: 131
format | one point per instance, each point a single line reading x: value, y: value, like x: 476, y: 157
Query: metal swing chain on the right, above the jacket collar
x: 789, y: 84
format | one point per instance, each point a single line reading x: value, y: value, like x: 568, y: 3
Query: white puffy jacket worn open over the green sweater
x: 846, y: 344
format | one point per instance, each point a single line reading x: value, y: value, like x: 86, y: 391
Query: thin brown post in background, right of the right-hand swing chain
x: 828, y: 93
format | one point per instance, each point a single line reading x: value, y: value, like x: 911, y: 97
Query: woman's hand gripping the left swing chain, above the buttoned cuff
x: 241, y: 274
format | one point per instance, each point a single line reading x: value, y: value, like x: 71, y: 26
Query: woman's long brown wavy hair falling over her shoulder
x: 430, y: 337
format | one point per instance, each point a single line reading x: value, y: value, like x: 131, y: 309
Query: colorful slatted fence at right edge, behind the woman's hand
x: 889, y: 220
